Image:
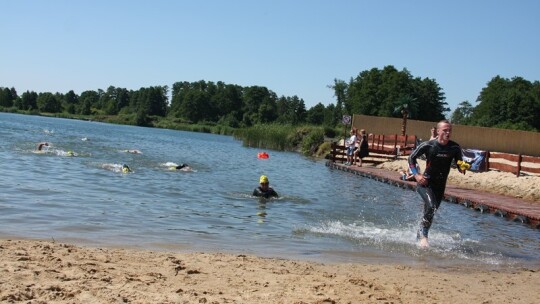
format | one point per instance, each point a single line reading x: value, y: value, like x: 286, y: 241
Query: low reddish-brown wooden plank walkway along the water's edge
x: 511, y: 208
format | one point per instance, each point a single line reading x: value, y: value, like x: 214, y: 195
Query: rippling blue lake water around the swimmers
x: 322, y: 214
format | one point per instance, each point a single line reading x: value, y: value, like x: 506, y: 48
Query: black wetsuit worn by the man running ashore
x: 438, y: 161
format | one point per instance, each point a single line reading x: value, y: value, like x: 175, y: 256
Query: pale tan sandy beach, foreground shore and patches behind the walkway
x: 35, y: 271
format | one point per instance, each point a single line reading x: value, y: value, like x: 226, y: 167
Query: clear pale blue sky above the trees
x: 292, y: 47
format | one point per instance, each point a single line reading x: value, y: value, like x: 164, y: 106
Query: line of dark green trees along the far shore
x: 385, y: 92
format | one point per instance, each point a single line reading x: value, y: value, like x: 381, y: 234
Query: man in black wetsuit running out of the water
x: 439, y: 153
